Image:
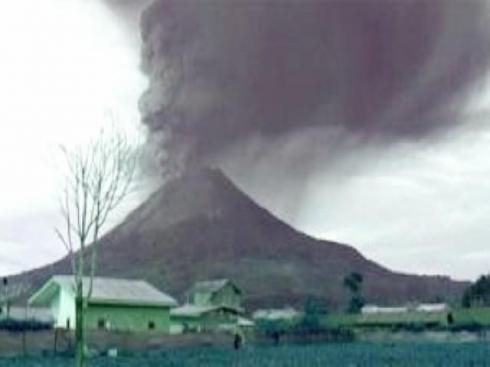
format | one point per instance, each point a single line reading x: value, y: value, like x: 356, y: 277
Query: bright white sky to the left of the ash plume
x: 66, y: 67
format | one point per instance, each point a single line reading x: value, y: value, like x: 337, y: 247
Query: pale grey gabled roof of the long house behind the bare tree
x: 107, y: 291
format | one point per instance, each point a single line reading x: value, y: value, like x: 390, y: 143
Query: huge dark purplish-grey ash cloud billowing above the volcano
x: 222, y: 72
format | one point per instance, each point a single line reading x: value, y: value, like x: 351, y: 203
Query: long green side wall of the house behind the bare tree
x: 128, y: 318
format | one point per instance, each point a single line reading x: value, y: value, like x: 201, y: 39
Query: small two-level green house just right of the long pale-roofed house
x: 211, y: 305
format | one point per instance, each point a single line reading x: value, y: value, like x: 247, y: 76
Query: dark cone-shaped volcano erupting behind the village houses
x: 201, y: 226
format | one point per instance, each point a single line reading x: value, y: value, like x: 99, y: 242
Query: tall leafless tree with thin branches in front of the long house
x: 98, y: 178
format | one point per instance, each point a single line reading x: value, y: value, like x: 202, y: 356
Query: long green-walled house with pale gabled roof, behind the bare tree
x: 115, y: 304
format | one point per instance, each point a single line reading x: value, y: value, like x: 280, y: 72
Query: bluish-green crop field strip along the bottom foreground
x: 337, y: 355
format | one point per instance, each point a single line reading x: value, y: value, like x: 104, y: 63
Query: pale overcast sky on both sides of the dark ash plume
x: 67, y: 65
